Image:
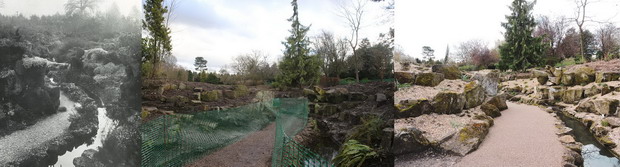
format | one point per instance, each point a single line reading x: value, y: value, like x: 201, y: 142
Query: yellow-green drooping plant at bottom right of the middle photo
x: 353, y: 153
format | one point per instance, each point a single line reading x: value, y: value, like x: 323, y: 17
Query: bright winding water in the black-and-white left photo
x: 105, y: 126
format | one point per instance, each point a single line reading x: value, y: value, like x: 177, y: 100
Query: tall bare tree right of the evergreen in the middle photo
x: 353, y: 14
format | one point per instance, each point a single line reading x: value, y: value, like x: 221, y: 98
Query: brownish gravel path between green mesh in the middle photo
x: 254, y: 150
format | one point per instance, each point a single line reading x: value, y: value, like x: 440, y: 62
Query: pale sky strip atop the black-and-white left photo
x: 51, y: 7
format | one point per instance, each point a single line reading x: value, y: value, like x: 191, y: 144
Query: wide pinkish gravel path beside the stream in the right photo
x: 523, y: 136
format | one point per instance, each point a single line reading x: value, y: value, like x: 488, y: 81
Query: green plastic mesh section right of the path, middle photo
x: 291, y: 118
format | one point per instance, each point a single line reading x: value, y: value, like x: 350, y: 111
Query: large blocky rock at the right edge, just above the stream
x: 599, y: 106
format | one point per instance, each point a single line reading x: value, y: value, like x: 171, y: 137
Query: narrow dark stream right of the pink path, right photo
x: 594, y: 154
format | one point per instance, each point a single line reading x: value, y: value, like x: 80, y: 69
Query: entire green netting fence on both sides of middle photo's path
x: 175, y: 140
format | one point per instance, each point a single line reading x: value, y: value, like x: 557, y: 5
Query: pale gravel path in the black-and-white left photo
x: 21, y: 142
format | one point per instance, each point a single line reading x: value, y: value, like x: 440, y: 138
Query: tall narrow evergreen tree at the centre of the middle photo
x: 298, y: 67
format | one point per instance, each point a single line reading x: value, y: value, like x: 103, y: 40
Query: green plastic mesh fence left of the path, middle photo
x: 174, y: 140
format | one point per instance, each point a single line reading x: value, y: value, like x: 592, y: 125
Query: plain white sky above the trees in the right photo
x: 438, y: 23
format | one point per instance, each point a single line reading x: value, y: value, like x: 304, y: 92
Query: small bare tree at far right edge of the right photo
x: 607, y: 37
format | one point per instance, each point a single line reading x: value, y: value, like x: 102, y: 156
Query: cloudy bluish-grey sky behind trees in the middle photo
x: 222, y: 29
